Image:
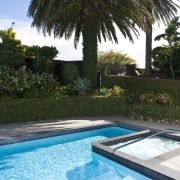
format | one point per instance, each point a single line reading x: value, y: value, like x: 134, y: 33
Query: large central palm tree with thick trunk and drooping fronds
x: 93, y: 19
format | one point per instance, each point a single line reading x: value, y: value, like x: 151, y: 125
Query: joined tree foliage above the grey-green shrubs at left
x: 14, y: 54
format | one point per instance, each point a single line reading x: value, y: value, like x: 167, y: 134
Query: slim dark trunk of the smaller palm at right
x: 148, y: 59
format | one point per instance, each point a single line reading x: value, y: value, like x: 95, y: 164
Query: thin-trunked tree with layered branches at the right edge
x: 172, y: 36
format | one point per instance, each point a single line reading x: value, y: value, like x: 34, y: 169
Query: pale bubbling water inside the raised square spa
x: 149, y: 147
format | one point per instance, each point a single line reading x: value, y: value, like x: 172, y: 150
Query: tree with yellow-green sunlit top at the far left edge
x: 11, y: 49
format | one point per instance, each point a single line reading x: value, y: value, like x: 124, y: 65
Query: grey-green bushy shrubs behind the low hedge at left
x: 22, y: 83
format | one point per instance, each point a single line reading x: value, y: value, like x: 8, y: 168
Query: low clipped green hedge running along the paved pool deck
x: 26, y: 110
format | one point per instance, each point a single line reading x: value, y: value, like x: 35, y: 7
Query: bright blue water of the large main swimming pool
x: 67, y: 157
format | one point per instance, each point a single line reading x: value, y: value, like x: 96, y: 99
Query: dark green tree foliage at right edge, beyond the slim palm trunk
x: 166, y: 57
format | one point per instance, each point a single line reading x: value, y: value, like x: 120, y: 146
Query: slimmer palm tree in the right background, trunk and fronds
x: 163, y: 11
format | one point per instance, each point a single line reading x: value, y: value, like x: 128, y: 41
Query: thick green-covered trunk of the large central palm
x: 90, y: 53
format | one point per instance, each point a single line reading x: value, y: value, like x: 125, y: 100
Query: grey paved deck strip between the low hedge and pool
x: 20, y: 129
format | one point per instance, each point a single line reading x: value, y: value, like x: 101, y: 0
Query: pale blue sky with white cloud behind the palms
x: 16, y: 11
